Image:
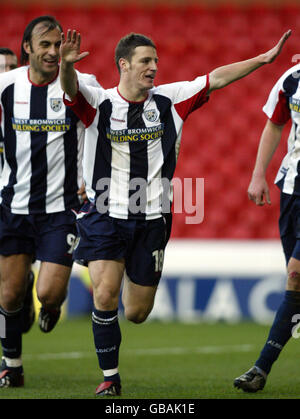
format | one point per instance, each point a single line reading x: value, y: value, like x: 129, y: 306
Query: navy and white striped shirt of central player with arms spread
x: 133, y: 147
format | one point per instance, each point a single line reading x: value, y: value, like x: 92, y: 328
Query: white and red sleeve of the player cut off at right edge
x: 277, y: 105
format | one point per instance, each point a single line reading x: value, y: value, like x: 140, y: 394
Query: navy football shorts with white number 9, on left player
x: 47, y: 237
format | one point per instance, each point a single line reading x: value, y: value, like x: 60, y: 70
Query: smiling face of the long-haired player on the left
x: 43, y: 51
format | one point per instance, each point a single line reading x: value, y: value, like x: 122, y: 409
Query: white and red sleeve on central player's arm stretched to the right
x: 187, y: 96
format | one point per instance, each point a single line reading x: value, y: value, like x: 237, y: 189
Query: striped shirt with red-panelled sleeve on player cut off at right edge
x: 284, y: 104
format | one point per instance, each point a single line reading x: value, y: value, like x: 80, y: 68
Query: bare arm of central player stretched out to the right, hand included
x: 222, y: 76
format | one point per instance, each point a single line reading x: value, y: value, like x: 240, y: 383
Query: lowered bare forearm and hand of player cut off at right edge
x: 258, y: 190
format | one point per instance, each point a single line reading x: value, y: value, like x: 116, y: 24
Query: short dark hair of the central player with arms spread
x: 126, y: 46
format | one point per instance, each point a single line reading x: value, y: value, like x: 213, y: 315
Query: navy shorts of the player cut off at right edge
x: 289, y: 225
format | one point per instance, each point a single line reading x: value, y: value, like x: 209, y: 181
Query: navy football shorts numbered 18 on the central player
x: 141, y: 243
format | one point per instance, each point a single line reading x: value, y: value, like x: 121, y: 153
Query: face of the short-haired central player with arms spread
x: 143, y: 67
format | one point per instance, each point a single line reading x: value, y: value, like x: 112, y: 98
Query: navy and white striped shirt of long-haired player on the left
x: 43, y: 145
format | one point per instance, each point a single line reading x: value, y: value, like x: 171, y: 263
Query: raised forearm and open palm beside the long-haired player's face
x: 70, y: 54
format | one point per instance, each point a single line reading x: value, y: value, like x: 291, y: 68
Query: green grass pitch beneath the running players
x: 157, y: 361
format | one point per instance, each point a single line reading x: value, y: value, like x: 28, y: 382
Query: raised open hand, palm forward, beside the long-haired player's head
x: 70, y: 47
